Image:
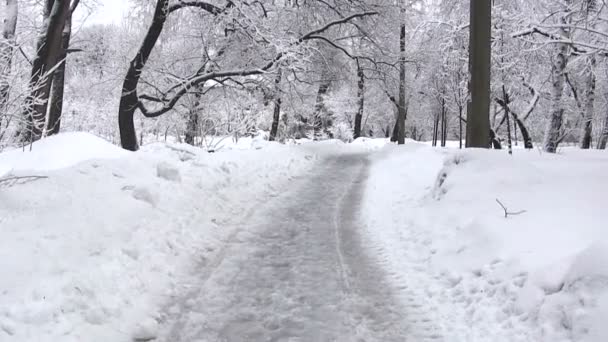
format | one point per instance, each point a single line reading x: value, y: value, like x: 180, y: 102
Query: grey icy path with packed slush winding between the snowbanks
x: 296, y: 270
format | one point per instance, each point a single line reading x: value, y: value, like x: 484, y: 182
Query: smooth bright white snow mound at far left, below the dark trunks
x: 58, y: 152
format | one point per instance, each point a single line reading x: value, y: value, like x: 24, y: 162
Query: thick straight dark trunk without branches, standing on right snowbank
x: 478, y: 117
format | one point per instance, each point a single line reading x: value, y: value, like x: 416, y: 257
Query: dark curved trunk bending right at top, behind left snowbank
x: 129, y: 100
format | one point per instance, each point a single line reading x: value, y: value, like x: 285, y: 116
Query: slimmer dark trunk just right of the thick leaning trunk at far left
x: 58, y: 86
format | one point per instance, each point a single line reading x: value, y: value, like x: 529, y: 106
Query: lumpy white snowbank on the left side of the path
x: 95, y: 250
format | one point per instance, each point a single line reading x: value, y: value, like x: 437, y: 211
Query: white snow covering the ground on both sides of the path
x: 99, y: 249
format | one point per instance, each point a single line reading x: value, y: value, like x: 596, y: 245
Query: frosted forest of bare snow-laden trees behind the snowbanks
x: 301, y: 69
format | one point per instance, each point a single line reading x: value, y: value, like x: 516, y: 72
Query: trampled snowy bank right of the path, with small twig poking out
x: 468, y: 273
